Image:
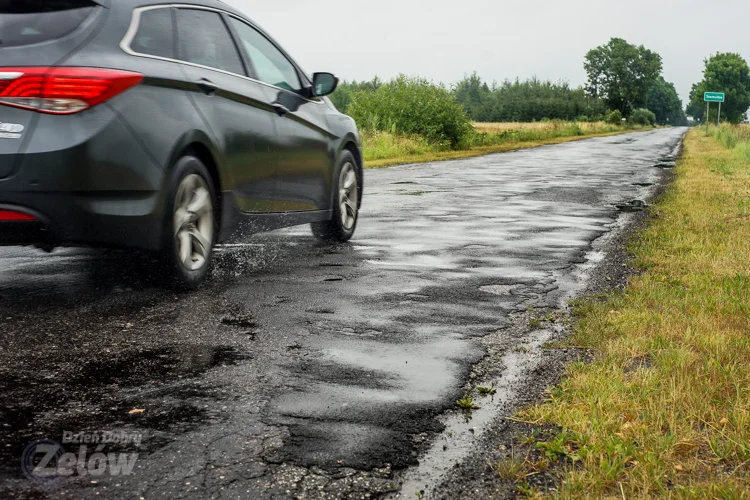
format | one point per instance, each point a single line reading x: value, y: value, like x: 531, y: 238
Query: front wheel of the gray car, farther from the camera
x: 346, y: 207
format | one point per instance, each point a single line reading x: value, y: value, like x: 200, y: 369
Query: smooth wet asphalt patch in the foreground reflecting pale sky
x: 379, y: 388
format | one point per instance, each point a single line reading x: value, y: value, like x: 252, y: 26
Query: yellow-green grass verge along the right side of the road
x: 664, y: 408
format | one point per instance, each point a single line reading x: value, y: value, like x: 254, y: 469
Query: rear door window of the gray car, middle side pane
x: 204, y: 39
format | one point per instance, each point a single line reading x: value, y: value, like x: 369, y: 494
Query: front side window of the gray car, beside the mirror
x: 270, y: 64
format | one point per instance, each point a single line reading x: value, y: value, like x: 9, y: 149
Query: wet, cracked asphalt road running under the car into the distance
x: 304, y: 370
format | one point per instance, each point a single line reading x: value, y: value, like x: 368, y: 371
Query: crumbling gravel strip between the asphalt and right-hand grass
x: 476, y: 477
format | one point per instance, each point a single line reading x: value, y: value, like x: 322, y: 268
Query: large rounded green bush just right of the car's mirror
x: 412, y: 106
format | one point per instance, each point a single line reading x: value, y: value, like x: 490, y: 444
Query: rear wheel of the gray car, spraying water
x: 190, y: 225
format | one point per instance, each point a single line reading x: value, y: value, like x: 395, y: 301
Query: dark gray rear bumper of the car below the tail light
x: 88, y: 181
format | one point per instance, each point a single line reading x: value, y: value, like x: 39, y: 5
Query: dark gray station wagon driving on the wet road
x: 166, y: 128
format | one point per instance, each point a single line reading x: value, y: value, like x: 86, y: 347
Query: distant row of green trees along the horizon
x: 622, y: 79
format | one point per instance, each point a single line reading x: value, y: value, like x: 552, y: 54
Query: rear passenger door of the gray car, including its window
x: 236, y: 108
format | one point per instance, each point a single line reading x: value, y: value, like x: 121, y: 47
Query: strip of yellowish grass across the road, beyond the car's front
x: 385, y: 149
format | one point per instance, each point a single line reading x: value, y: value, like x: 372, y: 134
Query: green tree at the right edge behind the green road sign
x: 727, y: 73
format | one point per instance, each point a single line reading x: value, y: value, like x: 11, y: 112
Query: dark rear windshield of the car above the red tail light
x: 33, y: 21
